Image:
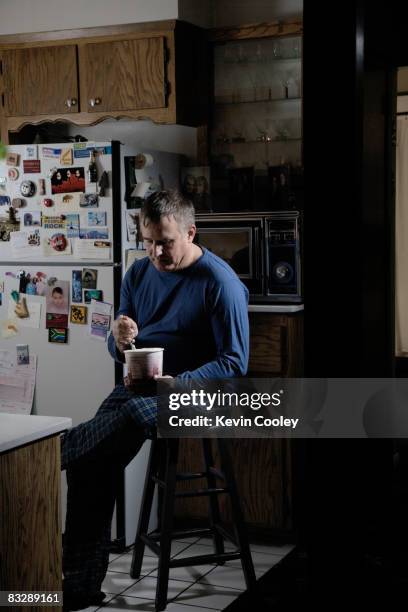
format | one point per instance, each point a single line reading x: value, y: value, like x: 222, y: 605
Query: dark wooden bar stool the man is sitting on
x: 162, y: 470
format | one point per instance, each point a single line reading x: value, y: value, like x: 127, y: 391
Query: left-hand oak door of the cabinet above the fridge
x: 40, y: 81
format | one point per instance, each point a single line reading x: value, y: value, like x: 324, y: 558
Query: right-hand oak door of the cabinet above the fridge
x: 135, y: 67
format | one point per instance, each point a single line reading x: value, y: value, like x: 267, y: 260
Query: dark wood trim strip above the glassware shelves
x: 258, y: 30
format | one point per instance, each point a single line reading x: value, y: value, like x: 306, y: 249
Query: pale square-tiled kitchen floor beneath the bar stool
x: 191, y: 589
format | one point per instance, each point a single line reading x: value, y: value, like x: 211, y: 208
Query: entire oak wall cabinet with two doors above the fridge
x: 152, y: 70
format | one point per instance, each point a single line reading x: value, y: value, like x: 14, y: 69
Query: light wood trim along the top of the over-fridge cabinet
x: 54, y: 36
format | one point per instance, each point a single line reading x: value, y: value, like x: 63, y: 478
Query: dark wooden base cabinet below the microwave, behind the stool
x: 263, y: 467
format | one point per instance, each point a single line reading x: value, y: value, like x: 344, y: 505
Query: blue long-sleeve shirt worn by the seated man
x: 199, y: 315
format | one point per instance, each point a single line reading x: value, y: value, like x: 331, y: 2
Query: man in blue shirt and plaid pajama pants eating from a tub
x: 181, y: 297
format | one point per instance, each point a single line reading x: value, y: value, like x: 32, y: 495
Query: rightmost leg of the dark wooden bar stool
x: 237, y: 514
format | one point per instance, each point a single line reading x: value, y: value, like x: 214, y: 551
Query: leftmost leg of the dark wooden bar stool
x: 145, y: 510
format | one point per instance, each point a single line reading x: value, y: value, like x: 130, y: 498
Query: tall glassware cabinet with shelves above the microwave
x: 256, y: 128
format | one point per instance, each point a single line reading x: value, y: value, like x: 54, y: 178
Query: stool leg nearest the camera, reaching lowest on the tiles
x: 167, y: 513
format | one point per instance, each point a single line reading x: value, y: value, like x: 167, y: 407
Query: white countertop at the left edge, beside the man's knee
x: 19, y: 429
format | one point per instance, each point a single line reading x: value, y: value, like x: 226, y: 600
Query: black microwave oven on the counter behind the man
x: 263, y: 250
